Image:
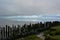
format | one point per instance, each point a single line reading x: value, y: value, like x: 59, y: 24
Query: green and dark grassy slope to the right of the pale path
x: 54, y: 33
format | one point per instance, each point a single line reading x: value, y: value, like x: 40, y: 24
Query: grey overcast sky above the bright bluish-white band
x: 29, y: 7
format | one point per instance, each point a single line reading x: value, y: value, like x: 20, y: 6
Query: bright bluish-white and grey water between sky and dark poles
x: 27, y: 19
